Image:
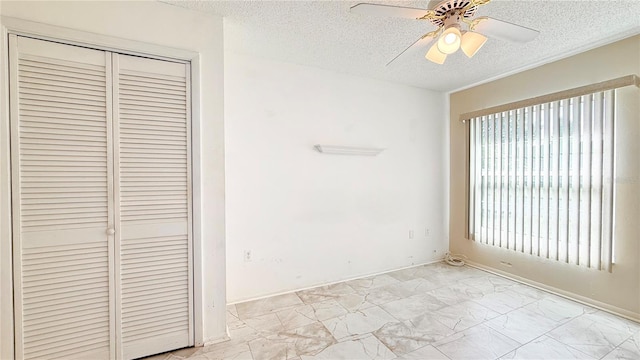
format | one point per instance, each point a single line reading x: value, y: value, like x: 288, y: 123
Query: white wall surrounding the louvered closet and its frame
x: 167, y: 26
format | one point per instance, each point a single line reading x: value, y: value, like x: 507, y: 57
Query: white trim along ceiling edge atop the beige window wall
x: 550, y: 59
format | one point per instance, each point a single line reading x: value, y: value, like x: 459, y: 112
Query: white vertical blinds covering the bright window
x: 541, y: 179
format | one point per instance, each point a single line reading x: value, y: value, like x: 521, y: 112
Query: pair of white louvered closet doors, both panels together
x: 101, y: 197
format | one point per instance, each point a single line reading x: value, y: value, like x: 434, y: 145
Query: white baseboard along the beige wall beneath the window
x: 565, y: 294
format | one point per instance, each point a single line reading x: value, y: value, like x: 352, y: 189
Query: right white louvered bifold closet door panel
x: 153, y: 192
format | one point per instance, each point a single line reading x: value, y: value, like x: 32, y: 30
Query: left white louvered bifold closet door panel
x: 60, y: 148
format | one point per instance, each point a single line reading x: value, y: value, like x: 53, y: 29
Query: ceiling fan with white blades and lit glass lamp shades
x: 448, y: 16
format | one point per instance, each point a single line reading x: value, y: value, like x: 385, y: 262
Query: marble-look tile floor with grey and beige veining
x: 434, y: 311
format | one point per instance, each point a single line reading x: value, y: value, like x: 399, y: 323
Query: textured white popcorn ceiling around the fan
x: 326, y: 35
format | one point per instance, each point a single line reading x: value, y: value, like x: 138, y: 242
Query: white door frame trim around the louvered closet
x: 68, y: 36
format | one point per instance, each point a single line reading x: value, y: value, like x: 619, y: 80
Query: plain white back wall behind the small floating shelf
x: 311, y: 218
